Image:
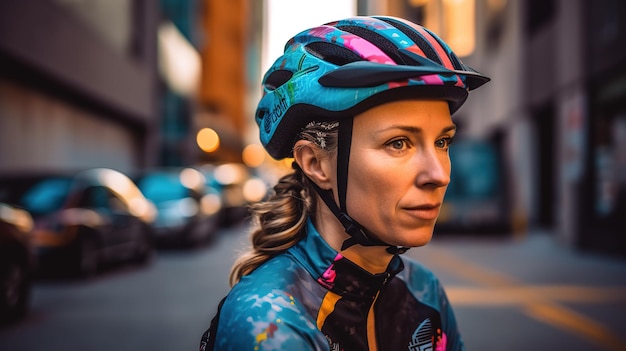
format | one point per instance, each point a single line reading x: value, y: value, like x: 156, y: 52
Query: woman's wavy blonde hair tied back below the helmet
x: 278, y: 223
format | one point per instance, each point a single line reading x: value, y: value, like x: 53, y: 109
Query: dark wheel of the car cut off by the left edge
x: 14, y: 291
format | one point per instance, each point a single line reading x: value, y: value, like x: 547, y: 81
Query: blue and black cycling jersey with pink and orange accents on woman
x: 312, y: 298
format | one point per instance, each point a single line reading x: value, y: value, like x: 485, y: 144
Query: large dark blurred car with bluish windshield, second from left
x: 85, y: 220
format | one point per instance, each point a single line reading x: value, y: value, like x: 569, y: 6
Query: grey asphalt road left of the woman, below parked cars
x: 165, y: 306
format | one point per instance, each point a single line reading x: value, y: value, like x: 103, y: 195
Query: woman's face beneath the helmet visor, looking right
x: 400, y: 169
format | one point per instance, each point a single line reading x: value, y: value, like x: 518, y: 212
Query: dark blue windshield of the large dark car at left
x: 46, y: 196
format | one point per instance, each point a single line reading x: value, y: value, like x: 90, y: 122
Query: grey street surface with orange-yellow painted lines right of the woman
x: 530, y: 292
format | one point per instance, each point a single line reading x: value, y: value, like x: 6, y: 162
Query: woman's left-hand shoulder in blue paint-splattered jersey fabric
x: 261, y: 312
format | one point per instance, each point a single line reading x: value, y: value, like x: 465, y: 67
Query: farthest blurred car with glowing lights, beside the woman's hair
x: 239, y: 187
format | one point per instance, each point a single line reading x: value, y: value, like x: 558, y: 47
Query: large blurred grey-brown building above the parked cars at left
x: 77, y: 84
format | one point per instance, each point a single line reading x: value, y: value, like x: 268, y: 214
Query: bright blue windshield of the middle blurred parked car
x: 162, y: 187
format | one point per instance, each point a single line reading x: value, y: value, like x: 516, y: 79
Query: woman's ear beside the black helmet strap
x: 314, y: 163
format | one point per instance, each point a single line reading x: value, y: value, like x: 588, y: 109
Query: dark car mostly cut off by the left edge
x: 16, y: 262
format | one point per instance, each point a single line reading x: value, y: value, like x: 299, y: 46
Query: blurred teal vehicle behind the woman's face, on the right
x: 477, y: 199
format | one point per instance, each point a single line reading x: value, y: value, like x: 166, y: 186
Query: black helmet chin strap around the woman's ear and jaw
x: 358, y: 234
